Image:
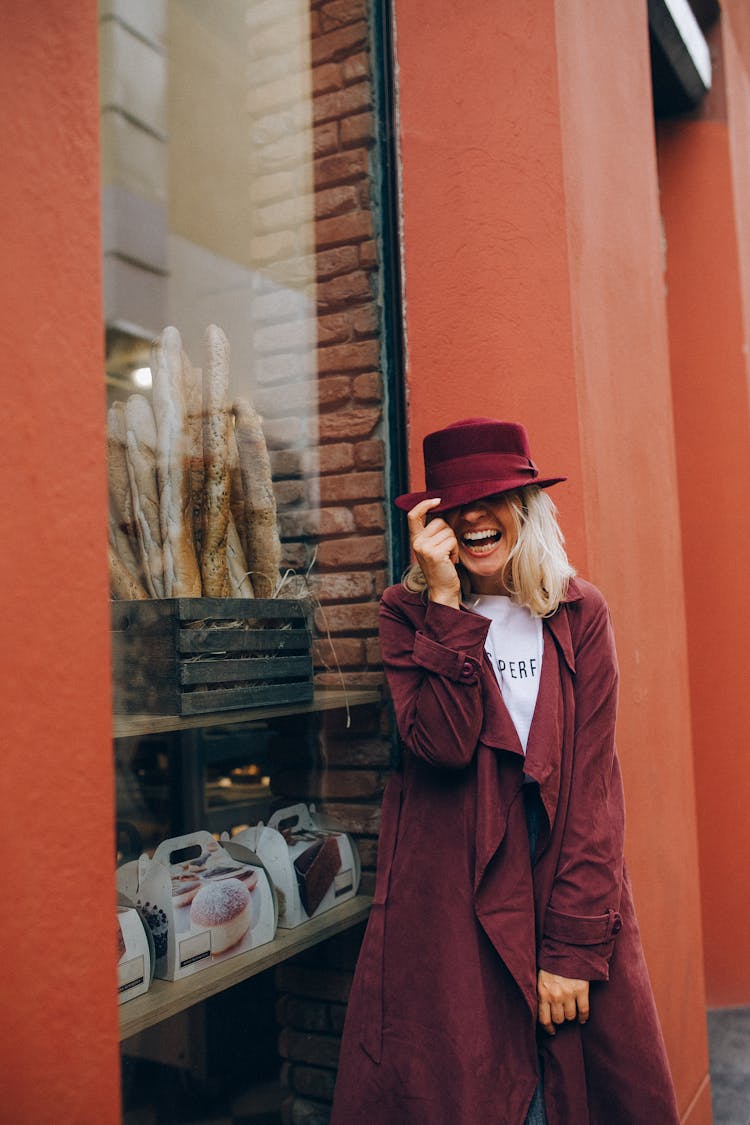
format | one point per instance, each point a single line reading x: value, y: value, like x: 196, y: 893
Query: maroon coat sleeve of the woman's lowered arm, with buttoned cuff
x: 583, y: 916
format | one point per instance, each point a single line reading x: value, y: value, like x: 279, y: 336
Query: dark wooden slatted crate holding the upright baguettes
x: 195, y: 655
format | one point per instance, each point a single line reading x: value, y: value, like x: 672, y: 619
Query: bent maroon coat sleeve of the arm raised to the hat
x: 433, y: 674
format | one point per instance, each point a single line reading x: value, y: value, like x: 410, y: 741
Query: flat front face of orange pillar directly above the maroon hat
x: 489, y: 320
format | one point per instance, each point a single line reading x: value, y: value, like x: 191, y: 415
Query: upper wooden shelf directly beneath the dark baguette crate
x: 130, y: 726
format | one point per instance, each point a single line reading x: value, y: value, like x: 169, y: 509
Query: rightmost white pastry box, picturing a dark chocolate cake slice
x: 313, y: 863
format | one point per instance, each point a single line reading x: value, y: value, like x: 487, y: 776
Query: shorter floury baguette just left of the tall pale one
x: 141, y: 453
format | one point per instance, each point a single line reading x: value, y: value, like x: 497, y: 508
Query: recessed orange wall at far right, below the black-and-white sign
x: 703, y: 172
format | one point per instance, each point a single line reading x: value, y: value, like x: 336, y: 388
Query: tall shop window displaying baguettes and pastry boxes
x: 243, y: 231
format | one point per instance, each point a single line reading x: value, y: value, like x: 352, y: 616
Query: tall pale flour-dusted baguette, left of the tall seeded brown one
x: 182, y: 572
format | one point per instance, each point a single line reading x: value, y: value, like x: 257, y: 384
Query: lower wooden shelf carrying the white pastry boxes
x: 168, y: 998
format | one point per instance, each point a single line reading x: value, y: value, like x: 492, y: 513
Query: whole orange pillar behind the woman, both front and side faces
x: 535, y: 290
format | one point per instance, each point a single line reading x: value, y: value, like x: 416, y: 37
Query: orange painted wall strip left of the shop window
x: 59, y: 1045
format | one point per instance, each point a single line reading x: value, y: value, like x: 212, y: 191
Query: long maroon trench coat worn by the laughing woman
x: 441, y: 1028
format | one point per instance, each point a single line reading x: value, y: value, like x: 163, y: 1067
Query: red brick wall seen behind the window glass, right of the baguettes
x: 324, y: 424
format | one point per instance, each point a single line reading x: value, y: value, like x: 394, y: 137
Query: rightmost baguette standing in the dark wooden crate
x: 264, y: 543
